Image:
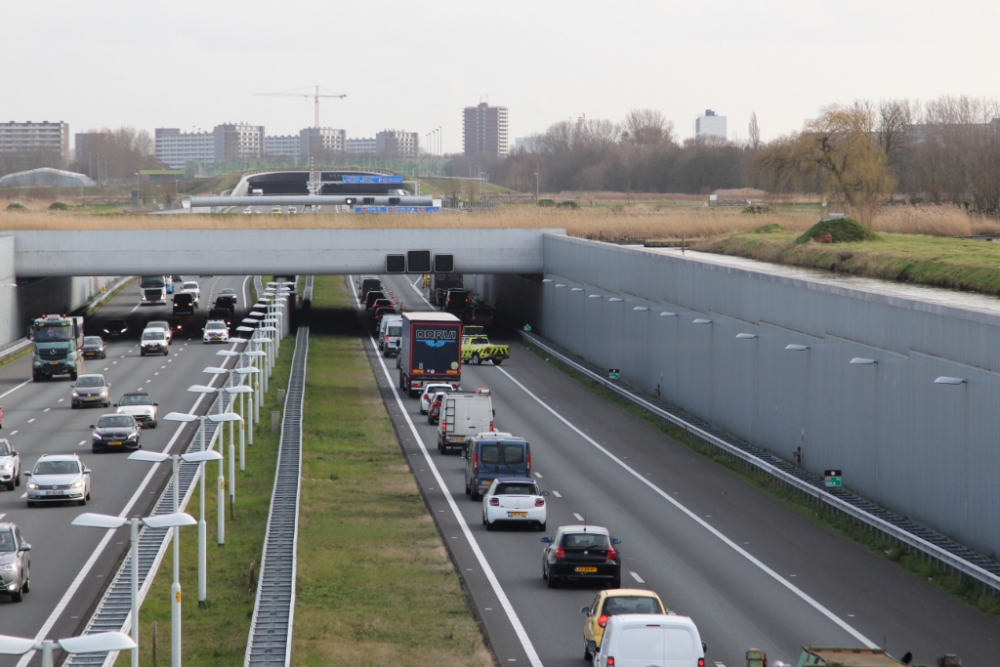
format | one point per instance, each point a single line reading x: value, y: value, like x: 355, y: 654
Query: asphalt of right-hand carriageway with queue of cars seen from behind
x: 750, y: 571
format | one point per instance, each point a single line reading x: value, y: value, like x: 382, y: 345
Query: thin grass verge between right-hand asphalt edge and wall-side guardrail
x: 963, y: 587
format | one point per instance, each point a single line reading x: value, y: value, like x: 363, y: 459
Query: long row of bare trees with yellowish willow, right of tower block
x: 863, y: 153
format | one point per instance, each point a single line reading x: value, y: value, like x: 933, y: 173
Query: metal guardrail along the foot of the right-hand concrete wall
x: 933, y: 545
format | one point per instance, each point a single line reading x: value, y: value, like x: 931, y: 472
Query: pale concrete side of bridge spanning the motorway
x: 273, y: 251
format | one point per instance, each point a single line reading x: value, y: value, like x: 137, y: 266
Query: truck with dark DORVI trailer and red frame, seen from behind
x: 430, y: 351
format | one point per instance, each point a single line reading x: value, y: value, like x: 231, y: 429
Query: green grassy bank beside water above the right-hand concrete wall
x: 952, y: 263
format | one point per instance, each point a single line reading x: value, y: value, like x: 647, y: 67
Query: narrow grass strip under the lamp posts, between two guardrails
x: 216, y: 635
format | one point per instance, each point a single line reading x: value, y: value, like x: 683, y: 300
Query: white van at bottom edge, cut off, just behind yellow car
x: 650, y: 640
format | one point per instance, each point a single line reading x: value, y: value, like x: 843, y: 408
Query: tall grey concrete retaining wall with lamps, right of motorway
x: 928, y: 451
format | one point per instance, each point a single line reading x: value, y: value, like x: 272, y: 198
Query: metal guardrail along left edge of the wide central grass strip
x: 270, y: 639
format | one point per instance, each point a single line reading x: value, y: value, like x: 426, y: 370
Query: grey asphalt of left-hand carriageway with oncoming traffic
x: 69, y: 565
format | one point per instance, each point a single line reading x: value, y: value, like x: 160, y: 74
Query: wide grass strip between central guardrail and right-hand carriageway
x: 375, y: 583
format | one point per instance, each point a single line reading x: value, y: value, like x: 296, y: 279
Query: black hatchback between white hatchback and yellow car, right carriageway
x: 582, y: 553
